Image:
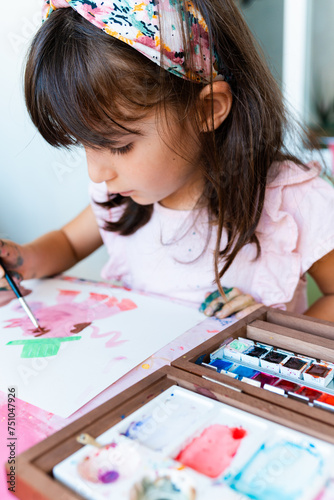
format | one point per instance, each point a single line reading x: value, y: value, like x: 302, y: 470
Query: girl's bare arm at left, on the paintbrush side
x: 53, y: 252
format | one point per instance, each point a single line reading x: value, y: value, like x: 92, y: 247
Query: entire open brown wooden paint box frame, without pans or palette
x: 296, y: 333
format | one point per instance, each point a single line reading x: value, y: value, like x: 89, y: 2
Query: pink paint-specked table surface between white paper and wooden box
x: 34, y: 424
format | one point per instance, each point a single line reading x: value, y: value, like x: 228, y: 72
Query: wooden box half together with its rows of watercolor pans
x: 272, y: 354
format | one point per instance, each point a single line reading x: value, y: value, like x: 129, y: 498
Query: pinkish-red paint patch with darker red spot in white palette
x: 213, y: 451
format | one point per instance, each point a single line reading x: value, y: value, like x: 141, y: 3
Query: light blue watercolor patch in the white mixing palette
x: 265, y: 475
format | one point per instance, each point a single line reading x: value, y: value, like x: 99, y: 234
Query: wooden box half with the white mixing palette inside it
x: 174, y: 436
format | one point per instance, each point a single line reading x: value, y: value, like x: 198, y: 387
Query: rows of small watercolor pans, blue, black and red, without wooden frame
x: 276, y: 370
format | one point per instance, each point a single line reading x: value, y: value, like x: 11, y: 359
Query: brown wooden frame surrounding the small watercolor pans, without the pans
x: 292, y: 332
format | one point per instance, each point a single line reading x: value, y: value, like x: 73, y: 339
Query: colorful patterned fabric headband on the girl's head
x: 139, y: 22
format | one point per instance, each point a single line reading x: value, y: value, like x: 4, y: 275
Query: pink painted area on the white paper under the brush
x: 70, y: 316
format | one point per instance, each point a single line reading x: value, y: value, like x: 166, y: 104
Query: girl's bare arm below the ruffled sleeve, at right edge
x: 322, y: 272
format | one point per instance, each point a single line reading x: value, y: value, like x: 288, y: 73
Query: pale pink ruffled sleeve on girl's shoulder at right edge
x: 298, y: 214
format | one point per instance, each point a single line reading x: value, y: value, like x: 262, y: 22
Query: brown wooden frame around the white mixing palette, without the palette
x: 34, y: 467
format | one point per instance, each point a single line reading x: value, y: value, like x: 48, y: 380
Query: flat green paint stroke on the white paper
x: 41, y: 348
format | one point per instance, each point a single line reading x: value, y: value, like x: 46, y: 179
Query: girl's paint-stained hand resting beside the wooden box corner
x: 237, y: 302
